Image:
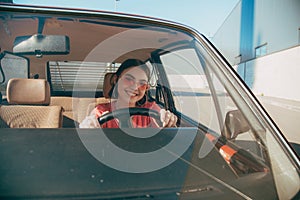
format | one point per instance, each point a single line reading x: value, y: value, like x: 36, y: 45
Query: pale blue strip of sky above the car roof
x: 206, y: 16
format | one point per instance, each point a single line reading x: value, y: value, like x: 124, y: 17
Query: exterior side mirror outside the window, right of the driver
x: 235, y: 124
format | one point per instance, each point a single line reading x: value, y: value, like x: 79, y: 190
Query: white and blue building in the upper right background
x: 261, y: 38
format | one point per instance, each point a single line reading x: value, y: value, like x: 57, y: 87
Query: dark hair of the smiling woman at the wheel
x: 129, y: 63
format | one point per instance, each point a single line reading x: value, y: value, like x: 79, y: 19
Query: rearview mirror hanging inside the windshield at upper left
x: 40, y: 45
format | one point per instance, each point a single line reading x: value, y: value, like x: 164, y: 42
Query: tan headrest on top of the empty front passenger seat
x: 28, y: 91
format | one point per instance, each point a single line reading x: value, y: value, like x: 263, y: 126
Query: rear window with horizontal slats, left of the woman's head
x: 74, y: 76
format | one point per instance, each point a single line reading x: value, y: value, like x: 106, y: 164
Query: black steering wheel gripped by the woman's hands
x: 124, y: 116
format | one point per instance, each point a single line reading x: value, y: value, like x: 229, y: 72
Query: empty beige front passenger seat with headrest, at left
x: 28, y: 107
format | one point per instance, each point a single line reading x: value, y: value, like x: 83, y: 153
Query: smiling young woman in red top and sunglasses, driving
x: 130, y: 90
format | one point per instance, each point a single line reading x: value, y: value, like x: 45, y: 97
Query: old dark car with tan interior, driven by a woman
x: 53, y: 67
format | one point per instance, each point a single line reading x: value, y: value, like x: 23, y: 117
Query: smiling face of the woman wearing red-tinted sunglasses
x: 132, y: 85
